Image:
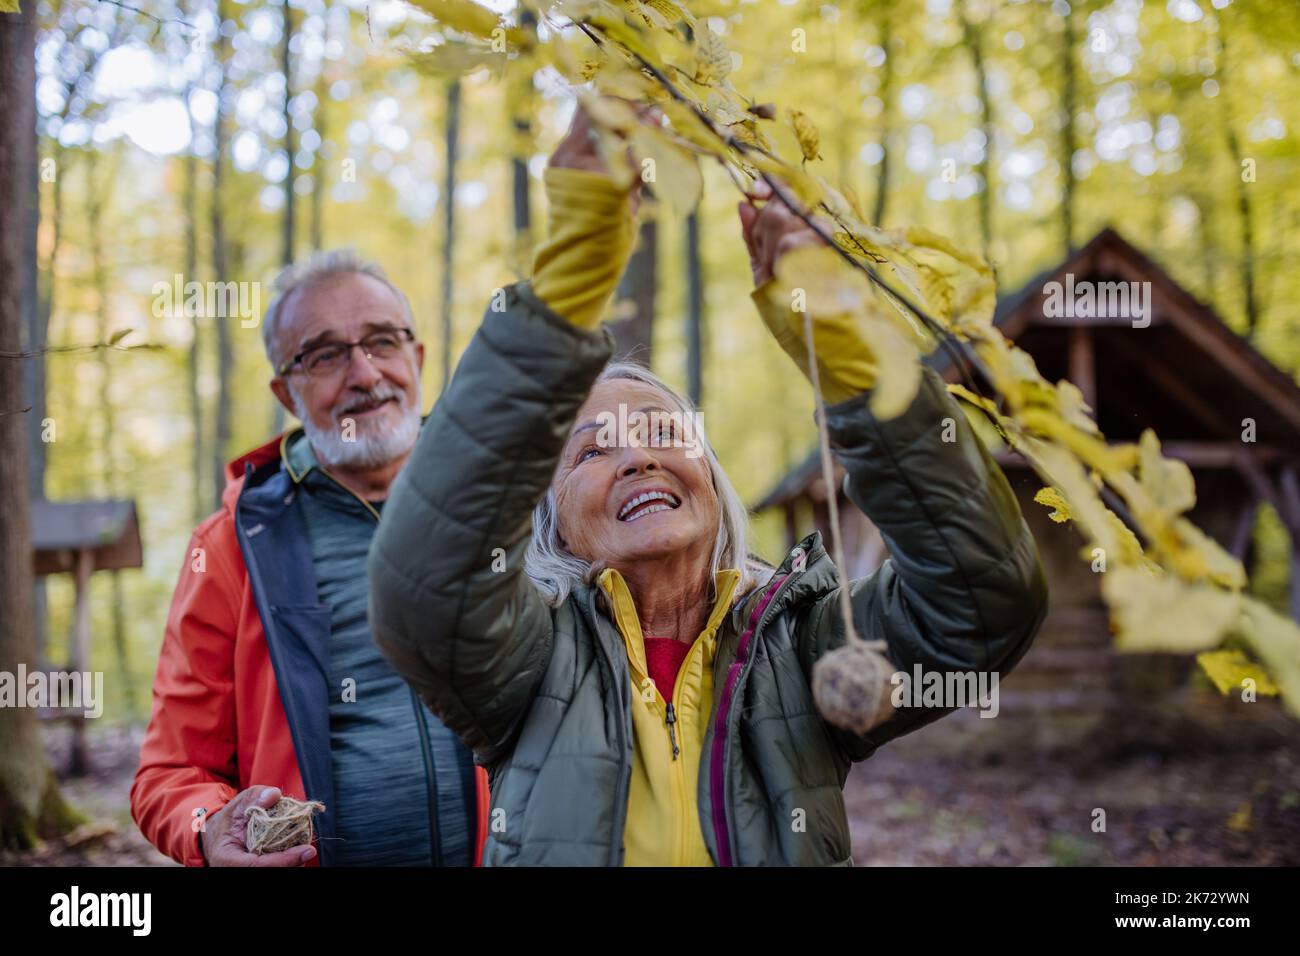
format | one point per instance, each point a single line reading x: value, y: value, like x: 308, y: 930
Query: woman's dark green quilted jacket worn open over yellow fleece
x: 543, y: 695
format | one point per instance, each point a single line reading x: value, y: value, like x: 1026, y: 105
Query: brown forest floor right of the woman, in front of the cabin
x: 1219, y: 806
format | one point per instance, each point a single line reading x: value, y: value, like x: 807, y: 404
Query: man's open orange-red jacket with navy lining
x: 239, y: 703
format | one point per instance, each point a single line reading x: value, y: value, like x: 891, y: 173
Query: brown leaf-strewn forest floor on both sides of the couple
x: 911, y: 806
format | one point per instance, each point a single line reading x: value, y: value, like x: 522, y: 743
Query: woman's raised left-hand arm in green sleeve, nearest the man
x: 450, y: 604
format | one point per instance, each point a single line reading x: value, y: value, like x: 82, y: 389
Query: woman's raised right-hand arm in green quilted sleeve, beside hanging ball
x: 964, y: 590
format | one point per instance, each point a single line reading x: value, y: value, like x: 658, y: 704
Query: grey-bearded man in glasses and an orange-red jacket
x: 270, y: 682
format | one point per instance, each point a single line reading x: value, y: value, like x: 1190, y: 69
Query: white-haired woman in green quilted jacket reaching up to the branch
x: 583, y: 612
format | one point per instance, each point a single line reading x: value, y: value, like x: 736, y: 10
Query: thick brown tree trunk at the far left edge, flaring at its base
x: 32, y: 807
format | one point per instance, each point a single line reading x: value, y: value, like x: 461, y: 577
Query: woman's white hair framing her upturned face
x: 556, y: 572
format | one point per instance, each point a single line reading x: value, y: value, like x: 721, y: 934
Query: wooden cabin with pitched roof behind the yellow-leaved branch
x: 1204, y: 391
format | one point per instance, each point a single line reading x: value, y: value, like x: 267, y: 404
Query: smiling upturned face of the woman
x: 642, y: 496
